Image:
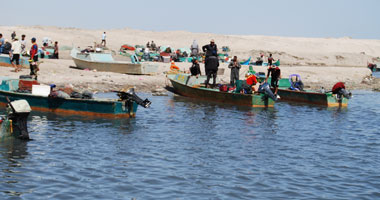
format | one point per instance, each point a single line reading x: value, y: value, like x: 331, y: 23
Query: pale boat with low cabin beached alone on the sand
x: 105, y: 62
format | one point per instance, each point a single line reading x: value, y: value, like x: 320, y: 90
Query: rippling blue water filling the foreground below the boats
x: 184, y: 149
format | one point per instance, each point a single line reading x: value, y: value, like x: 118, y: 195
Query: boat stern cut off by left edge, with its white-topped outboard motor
x: 14, y: 123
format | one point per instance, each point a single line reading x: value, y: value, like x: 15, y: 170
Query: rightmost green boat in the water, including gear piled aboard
x: 308, y: 96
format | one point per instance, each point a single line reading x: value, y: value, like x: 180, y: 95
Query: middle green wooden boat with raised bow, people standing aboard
x: 190, y: 86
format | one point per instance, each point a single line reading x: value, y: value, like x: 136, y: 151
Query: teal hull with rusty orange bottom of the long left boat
x: 71, y: 106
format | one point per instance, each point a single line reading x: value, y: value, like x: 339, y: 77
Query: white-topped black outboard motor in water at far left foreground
x: 19, y: 113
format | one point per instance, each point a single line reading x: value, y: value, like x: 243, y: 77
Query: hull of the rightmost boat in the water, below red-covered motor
x: 323, y: 99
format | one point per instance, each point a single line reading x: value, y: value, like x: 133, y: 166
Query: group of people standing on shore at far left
x: 17, y: 48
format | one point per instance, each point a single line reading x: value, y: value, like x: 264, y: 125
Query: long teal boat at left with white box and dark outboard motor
x: 39, y: 100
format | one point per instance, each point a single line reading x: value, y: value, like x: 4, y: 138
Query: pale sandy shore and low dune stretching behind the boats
x: 321, y: 62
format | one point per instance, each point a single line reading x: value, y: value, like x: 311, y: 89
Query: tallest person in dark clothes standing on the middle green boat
x: 211, y: 62
